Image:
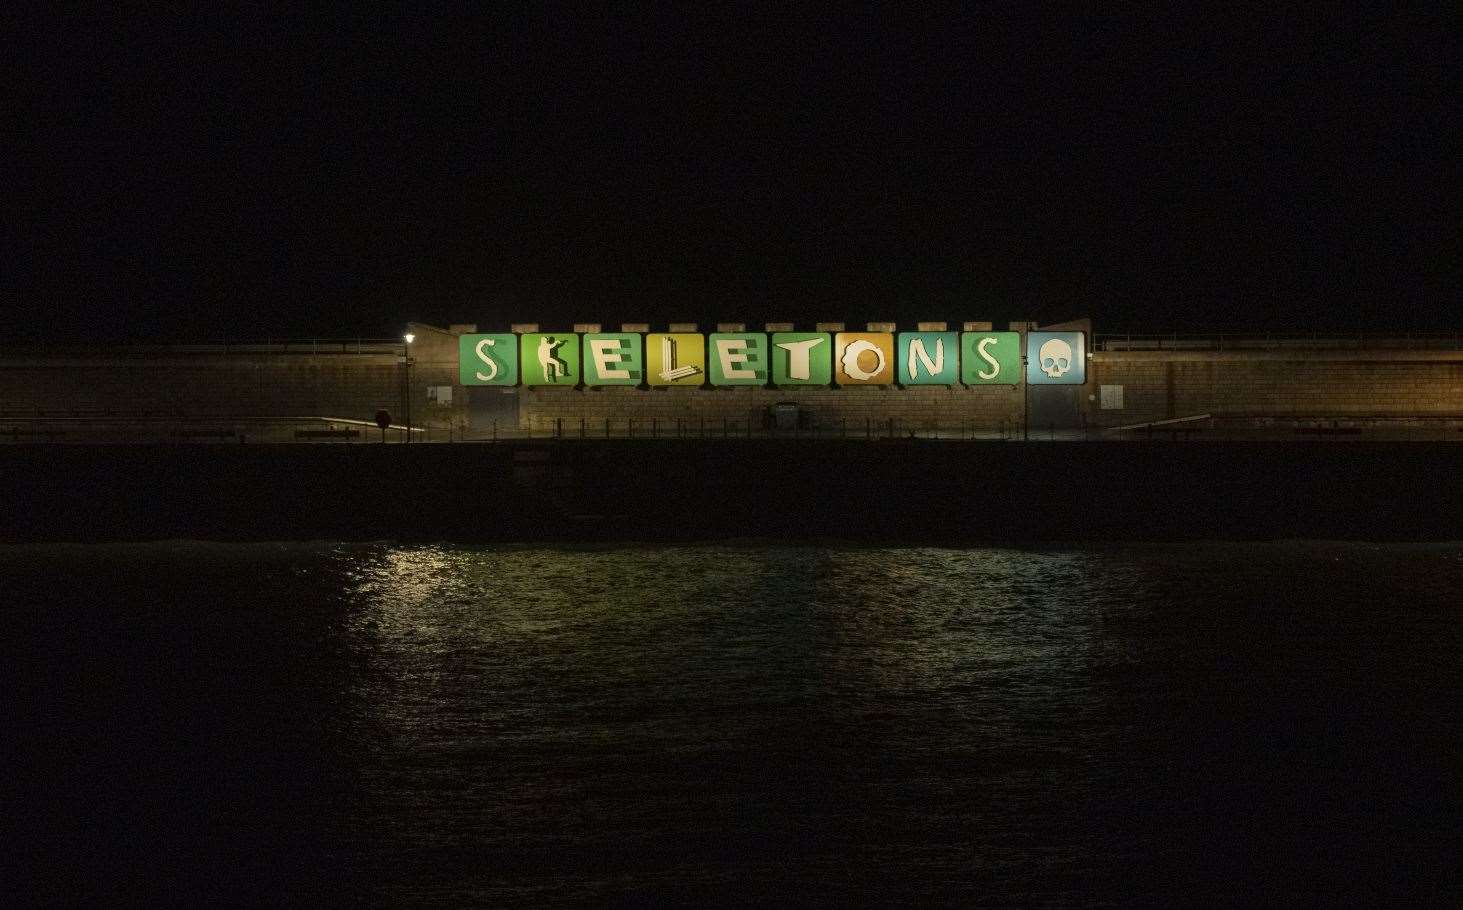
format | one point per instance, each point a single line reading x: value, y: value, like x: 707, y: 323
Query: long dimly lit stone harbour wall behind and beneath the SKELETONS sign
x: 1334, y: 380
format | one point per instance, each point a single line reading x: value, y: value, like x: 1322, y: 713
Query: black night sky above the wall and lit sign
x: 254, y: 173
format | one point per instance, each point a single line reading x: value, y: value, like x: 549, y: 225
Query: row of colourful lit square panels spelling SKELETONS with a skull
x: 782, y: 359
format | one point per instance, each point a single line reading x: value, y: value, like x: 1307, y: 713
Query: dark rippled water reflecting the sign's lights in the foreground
x: 732, y: 723
